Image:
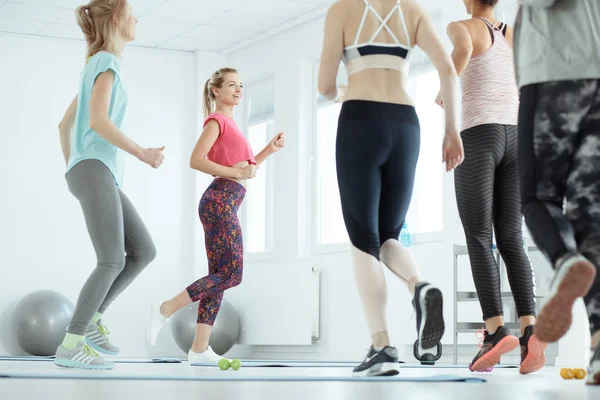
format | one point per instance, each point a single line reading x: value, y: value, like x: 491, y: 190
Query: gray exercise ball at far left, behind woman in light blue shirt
x: 41, y: 319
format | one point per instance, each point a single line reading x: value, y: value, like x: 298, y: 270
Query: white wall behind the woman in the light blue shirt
x: 43, y: 238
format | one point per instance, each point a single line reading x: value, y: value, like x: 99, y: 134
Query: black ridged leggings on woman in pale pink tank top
x: 487, y: 194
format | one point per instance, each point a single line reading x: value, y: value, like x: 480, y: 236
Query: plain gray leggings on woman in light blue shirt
x: 121, y: 240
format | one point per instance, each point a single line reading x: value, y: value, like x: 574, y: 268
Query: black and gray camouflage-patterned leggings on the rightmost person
x: 559, y: 167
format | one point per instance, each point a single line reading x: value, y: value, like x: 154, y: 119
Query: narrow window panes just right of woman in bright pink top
x: 257, y: 213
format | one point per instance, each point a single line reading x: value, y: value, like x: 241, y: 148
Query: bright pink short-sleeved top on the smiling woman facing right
x: 231, y: 146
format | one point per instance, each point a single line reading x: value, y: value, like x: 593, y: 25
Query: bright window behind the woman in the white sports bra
x: 425, y: 213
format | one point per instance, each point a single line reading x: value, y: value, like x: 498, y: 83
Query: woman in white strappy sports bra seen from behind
x: 377, y: 148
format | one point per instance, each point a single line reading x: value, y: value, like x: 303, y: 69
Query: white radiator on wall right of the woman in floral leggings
x: 278, y: 304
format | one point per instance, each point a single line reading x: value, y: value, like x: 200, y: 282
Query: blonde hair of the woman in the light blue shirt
x: 100, y: 21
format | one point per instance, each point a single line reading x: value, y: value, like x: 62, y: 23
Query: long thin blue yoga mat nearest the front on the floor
x: 232, y: 376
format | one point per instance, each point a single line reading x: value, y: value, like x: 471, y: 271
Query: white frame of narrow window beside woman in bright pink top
x: 270, y: 184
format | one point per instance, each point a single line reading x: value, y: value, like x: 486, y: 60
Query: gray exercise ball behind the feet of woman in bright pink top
x: 225, y: 332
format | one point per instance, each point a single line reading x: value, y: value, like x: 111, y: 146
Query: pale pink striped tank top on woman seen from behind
x: 489, y: 88
